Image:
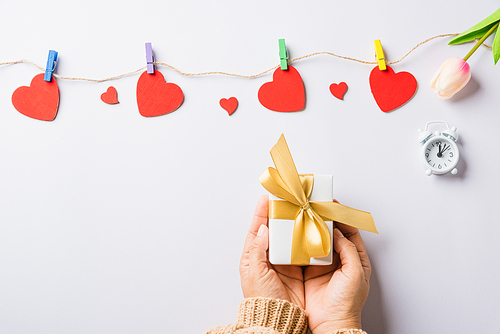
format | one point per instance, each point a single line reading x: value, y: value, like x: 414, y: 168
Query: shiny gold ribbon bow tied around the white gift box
x: 311, y: 237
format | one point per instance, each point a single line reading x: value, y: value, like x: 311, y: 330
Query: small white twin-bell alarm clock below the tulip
x: 439, y: 151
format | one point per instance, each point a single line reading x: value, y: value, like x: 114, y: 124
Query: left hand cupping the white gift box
x: 258, y: 277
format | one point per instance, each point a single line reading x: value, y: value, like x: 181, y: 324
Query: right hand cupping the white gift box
x: 335, y: 294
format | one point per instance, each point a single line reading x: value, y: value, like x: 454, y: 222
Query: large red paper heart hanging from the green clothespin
x: 285, y: 93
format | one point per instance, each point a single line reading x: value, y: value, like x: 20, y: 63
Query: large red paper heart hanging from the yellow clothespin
x: 391, y: 90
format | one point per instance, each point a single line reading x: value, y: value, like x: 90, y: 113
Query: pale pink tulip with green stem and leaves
x: 454, y: 74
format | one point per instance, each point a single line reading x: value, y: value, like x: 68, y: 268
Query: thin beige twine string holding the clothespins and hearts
x: 232, y: 74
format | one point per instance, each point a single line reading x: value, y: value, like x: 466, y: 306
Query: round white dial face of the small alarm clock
x: 441, y: 154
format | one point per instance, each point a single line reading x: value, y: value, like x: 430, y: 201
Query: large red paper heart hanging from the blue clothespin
x: 39, y: 101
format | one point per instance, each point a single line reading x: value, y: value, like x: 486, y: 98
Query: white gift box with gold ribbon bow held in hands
x: 302, y: 212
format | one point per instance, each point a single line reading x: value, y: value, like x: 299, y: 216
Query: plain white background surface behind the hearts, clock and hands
x: 115, y: 223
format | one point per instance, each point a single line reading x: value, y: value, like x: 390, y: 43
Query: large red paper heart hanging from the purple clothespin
x: 155, y: 97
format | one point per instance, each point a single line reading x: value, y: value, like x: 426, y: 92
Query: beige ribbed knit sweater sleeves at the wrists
x: 270, y: 316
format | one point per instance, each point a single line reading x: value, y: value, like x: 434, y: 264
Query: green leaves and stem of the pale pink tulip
x: 482, y: 30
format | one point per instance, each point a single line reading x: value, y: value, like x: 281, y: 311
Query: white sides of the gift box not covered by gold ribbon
x: 281, y: 230
